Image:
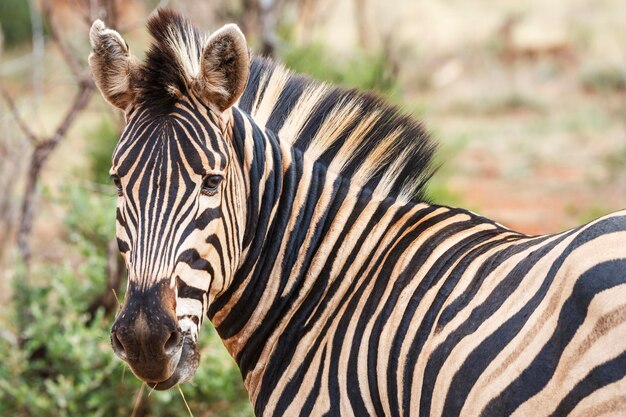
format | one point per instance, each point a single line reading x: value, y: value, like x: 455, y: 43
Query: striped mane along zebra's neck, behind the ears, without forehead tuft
x: 355, y: 134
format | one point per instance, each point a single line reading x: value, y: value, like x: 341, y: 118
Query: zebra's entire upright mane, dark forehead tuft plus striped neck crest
x: 355, y: 134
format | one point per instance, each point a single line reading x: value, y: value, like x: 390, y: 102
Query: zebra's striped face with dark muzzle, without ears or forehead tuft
x: 175, y: 232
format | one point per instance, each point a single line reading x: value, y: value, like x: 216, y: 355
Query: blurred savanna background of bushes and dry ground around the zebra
x: 527, y: 100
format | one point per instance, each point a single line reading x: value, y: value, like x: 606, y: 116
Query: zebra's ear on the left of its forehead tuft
x: 112, y: 65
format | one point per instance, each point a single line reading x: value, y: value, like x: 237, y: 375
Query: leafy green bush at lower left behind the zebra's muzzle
x: 63, y: 364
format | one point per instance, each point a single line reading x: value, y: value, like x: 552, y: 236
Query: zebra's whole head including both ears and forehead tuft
x: 179, y: 189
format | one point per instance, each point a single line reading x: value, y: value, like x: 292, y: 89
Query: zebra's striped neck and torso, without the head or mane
x: 424, y: 287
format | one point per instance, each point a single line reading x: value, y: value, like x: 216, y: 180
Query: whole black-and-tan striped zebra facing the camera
x: 293, y: 214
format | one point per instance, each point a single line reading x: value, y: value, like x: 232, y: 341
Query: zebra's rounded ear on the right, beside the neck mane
x: 224, y: 68
